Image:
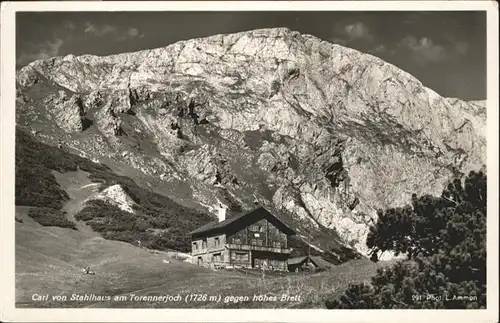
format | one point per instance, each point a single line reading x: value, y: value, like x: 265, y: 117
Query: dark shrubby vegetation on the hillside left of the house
x: 37, y: 186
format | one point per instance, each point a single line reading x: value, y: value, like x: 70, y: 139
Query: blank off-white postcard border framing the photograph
x: 7, y: 172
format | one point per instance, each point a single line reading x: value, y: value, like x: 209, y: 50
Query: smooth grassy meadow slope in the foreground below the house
x: 49, y: 260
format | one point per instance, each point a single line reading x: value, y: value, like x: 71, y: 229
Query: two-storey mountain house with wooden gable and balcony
x: 256, y: 239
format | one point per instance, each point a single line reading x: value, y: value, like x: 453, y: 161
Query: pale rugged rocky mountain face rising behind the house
x: 319, y: 131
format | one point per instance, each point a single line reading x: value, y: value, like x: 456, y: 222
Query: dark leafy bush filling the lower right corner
x: 444, y: 239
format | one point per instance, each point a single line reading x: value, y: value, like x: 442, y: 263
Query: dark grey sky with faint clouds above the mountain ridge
x: 446, y: 51
